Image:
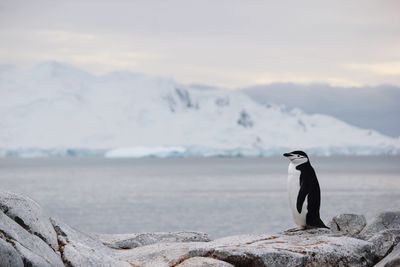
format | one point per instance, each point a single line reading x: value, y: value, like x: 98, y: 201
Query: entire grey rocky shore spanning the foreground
x: 29, y: 237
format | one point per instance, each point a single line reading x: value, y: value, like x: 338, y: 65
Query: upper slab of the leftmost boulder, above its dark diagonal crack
x: 29, y: 215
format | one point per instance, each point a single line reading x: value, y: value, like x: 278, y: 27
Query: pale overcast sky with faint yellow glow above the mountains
x: 227, y: 43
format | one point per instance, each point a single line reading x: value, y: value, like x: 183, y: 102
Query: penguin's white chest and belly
x: 294, y: 188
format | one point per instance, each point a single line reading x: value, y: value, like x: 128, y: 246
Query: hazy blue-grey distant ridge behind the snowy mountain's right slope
x: 375, y: 107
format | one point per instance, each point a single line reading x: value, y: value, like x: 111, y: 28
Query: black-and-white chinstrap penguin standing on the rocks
x: 304, y: 191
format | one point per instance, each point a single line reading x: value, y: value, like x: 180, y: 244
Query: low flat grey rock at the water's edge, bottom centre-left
x: 127, y: 241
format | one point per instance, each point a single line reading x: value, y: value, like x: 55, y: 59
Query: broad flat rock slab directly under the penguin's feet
x: 306, y: 248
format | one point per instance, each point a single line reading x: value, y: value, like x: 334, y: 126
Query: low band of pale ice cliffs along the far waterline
x: 187, y: 152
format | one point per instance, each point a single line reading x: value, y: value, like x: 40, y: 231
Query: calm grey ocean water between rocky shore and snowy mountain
x: 218, y: 196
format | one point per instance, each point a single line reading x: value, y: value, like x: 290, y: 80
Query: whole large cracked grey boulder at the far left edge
x: 26, y: 233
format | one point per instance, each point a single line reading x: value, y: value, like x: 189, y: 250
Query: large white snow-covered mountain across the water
x: 55, y: 108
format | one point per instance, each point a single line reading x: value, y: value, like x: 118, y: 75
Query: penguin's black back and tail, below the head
x: 309, y: 185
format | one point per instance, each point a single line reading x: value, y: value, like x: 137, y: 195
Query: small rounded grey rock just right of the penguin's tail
x: 349, y: 224
